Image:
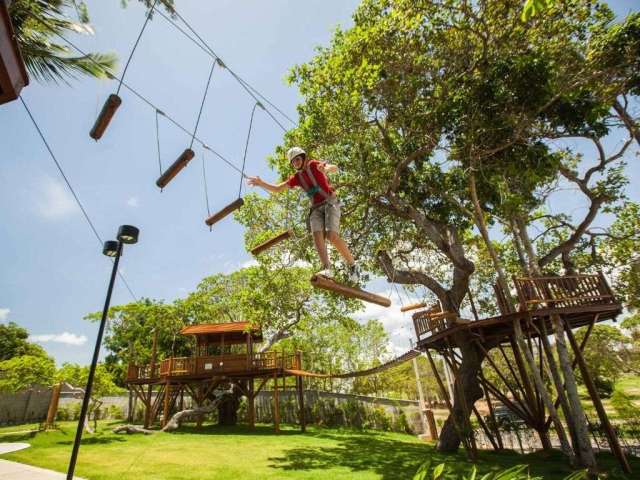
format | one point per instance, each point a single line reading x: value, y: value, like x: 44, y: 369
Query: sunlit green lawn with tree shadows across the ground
x: 238, y: 453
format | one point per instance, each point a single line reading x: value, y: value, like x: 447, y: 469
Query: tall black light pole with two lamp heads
x: 126, y: 234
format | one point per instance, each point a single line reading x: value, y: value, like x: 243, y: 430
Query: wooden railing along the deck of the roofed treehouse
x: 197, y: 366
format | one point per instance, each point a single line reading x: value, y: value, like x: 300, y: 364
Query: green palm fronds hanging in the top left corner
x: 39, y: 25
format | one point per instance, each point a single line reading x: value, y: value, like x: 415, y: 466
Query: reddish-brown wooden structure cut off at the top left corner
x: 13, y: 74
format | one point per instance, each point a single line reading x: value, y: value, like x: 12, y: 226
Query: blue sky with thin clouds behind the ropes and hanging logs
x: 52, y: 271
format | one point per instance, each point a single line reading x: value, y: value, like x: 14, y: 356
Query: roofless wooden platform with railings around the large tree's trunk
x: 579, y: 300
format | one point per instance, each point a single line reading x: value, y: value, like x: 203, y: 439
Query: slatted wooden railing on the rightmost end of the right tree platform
x: 563, y: 292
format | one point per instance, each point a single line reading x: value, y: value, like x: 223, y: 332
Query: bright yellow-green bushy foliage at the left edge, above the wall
x: 24, y: 371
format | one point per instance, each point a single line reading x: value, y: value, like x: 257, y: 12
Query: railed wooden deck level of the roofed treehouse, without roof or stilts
x: 202, y: 367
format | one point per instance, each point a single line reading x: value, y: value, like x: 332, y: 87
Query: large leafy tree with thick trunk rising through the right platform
x: 441, y: 116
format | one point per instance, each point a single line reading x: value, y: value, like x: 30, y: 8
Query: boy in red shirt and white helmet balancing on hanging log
x: 324, y: 215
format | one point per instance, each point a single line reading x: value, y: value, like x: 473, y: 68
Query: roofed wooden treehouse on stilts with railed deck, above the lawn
x: 223, y: 356
